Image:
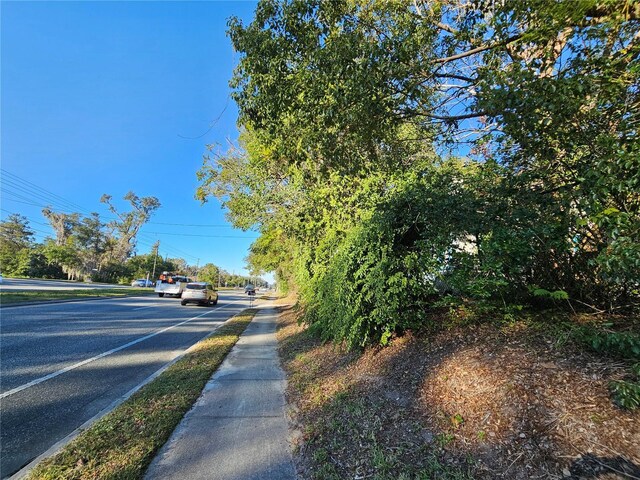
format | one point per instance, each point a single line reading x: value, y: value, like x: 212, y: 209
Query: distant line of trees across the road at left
x: 85, y: 248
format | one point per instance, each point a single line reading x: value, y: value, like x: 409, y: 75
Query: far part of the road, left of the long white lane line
x: 40, y: 340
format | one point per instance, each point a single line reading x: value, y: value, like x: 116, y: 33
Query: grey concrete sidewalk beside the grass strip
x: 237, y: 429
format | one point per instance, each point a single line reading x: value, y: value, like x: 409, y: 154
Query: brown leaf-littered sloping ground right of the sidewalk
x: 474, y: 402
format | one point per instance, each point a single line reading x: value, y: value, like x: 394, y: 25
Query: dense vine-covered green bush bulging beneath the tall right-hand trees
x: 441, y: 231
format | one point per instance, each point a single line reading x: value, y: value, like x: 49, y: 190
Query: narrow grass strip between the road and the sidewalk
x: 122, y: 443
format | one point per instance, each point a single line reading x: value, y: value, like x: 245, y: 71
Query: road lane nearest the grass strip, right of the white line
x: 38, y: 417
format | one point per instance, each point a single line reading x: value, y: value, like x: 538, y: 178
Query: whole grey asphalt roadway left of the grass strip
x: 61, y: 364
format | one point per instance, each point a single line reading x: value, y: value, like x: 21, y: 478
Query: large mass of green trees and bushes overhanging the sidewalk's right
x: 397, y: 152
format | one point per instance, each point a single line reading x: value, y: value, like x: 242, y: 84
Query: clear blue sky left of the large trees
x: 108, y: 97
